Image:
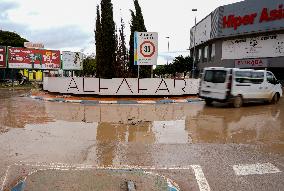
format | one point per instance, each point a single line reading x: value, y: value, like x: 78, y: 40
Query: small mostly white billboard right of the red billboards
x: 72, y: 60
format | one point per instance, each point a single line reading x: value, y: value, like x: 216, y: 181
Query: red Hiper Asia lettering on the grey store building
x: 266, y: 15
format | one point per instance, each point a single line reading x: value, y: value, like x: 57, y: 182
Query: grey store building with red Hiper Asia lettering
x: 247, y: 34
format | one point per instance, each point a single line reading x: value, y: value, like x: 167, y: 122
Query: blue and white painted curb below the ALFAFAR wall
x: 123, y: 102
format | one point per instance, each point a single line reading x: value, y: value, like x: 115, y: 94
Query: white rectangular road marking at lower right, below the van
x: 252, y: 169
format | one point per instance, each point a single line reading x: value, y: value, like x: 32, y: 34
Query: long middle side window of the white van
x: 249, y: 77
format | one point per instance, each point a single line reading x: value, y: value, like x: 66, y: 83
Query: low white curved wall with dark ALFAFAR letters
x: 121, y: 86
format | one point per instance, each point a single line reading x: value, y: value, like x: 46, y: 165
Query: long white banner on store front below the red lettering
x: 256, y: 47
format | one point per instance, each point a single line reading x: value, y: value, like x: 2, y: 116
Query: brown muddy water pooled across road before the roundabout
x: 46, y: 131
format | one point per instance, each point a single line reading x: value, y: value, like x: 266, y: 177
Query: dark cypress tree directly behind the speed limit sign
x: 137, y: 24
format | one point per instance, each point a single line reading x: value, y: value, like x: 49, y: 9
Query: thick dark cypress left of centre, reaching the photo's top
x: 108, y: 39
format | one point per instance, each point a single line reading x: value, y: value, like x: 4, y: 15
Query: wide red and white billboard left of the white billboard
x: 24, y: 58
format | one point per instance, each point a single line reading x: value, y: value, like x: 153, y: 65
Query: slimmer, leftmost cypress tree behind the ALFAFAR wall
x: 98, y: 38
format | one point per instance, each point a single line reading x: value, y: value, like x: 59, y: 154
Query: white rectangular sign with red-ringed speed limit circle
x: 145, y: 48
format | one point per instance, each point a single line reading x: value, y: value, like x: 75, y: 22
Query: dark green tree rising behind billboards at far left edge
x: 11, y: 39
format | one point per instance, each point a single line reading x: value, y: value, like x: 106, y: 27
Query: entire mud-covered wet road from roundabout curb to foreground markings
x: 198, y: 147
